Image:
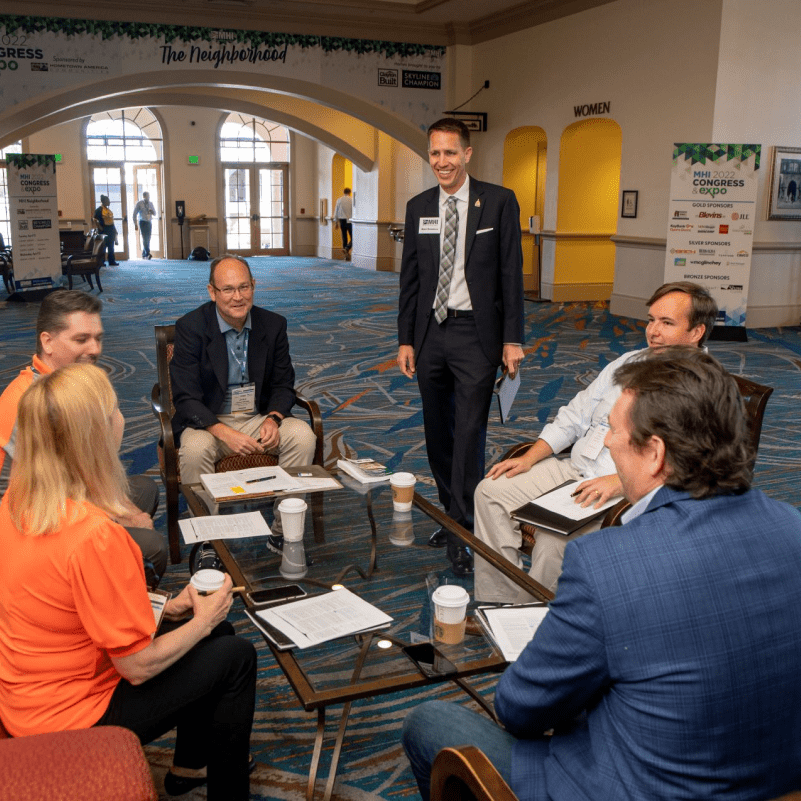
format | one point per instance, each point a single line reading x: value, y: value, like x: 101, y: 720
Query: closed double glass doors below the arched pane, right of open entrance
x: 255, y: 210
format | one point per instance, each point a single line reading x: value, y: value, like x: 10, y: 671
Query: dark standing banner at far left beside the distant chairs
x: 33, y: 210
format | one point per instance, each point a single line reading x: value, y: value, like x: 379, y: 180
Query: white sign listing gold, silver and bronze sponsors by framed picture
x: 713, y: 191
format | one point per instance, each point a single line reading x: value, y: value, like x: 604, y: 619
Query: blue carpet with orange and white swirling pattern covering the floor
x: 343, y: 341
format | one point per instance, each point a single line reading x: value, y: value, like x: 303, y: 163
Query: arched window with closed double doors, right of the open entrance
x: 254, y: 155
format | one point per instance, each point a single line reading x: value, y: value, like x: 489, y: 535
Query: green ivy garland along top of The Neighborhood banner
x: 186, y: 34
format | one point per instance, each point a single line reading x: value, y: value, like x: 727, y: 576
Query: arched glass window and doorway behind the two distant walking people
x: 124, y: 149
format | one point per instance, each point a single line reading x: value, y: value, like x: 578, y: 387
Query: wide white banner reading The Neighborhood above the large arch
x: 43, y: 55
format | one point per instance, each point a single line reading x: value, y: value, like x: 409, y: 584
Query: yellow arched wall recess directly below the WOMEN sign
x: 589, y: 181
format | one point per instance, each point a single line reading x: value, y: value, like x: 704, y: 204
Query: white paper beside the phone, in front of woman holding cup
x: 320, y: 618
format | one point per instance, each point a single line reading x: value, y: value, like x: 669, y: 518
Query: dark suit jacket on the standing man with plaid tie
x: 493, y: 268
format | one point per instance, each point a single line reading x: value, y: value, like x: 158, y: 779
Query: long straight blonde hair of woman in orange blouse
x: 65, y: 450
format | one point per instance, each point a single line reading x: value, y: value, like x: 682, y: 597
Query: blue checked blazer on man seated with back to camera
x: 678, y: 634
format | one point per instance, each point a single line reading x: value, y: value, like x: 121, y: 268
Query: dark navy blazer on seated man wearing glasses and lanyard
x: 199, y: 366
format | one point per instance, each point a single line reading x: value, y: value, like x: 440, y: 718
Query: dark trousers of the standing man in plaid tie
x: 456, y: 381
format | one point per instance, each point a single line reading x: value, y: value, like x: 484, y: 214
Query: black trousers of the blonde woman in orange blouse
x: 210, y: 695
